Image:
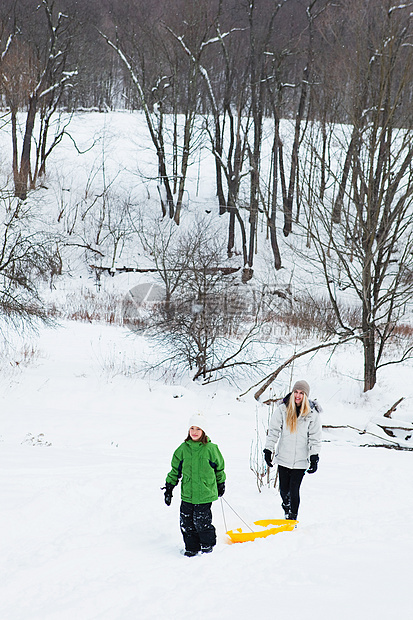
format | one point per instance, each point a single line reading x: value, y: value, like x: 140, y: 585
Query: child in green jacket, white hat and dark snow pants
x: 201, y: 466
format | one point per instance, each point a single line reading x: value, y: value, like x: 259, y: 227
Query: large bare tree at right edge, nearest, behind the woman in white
x: 368, y: 253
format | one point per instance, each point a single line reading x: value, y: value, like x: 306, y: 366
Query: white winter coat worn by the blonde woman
x: 294, y: 449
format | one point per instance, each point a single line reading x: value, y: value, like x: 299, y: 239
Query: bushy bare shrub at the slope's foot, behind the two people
x: 206, y: 323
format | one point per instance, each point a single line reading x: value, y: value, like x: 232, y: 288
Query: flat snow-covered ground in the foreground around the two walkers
x: 85, y: 532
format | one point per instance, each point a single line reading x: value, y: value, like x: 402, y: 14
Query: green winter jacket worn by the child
x: 201, y: 467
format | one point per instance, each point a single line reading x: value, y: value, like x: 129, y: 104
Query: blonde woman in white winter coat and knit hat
x: 296, y: 425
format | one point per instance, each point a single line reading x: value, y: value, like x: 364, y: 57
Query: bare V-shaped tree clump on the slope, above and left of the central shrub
x: 168, y: 91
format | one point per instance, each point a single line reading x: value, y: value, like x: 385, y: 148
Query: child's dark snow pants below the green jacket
x: 196, y: 526
